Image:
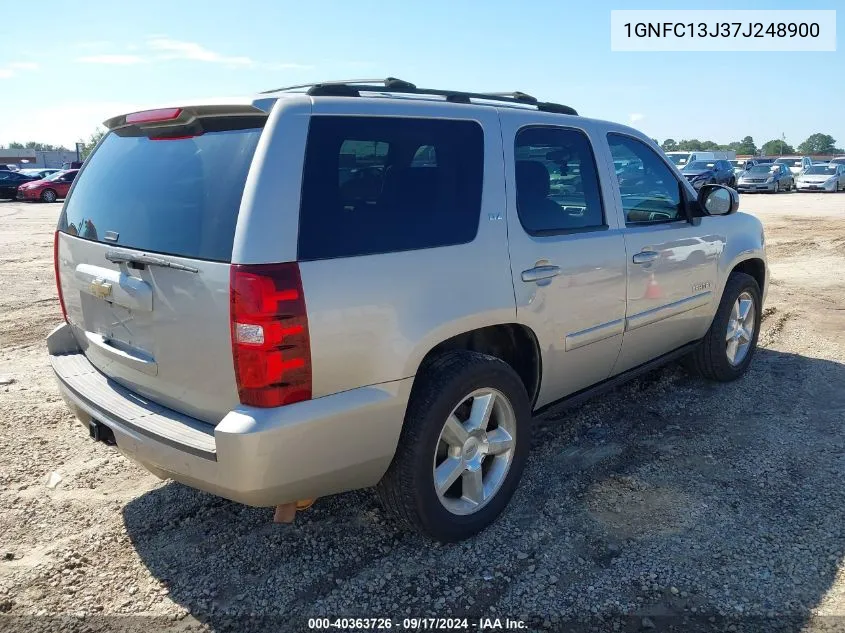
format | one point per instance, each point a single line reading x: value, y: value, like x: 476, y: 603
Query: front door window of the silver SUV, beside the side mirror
x: 649, y: 190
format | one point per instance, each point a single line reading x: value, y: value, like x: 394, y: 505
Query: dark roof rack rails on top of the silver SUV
x: 354, y: 87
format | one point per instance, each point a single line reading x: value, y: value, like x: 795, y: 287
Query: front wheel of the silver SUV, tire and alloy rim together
x: 729, y: 345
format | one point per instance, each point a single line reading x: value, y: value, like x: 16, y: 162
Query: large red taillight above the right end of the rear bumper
x: 270, y: 343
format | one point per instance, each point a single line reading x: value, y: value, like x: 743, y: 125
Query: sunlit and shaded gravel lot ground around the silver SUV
x: 670, y: 498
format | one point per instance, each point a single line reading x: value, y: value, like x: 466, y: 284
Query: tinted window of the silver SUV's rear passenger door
x: 557, y: 188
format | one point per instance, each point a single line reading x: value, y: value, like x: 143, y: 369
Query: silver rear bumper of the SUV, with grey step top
x: 260, y: 457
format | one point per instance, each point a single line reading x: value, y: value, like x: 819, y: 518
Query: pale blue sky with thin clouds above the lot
x: 68, y: 65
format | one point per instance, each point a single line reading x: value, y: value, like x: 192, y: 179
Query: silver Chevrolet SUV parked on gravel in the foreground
x: 347, y: 285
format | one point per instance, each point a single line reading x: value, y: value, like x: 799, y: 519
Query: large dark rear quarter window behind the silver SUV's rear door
x: 388, y: 184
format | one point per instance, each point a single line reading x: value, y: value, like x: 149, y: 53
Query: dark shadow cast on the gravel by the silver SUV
x: 669, y: 497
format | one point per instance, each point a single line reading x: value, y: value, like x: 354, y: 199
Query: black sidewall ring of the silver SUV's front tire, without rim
x: 737, y: 284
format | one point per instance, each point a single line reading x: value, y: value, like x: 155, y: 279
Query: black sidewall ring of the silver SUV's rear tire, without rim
x: 436, y: 519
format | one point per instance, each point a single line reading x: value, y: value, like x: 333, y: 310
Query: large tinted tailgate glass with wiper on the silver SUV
x: 176, y: 196
